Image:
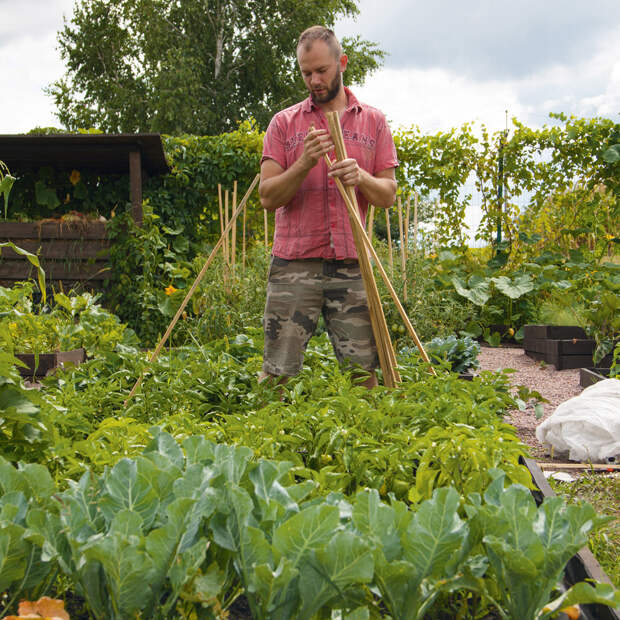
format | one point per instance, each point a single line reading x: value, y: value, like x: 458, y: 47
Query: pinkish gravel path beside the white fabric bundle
x: 554, y: 385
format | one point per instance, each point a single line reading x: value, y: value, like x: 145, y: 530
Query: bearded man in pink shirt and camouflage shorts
x: 314, y: 267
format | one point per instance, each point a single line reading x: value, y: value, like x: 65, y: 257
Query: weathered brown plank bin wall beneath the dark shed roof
x: 68, y: 252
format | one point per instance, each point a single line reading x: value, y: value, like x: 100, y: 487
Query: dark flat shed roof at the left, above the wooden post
x: 104, y: 152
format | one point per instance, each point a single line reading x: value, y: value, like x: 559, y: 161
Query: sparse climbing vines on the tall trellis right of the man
x: 570, y: 173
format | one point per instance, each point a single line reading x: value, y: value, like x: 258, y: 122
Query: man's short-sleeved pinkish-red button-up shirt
x: 315, y: 223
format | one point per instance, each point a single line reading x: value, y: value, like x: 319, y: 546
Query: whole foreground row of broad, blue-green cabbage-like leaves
x: 185, y: 528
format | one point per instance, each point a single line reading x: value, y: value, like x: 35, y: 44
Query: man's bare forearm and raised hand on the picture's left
x: 277, y: 185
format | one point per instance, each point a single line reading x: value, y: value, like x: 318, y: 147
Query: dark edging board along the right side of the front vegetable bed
x: 583, y: 565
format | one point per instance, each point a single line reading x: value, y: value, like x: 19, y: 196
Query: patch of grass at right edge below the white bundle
x: 603, y: 492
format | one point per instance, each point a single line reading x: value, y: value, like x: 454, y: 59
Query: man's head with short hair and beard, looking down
x: 321, y: 62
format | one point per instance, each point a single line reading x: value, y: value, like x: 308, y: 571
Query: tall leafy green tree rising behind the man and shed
x: 190, y: 66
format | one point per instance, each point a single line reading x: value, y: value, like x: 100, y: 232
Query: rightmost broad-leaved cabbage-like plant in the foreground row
x: 520, y: 540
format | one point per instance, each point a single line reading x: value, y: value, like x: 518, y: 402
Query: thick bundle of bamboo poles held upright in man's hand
x: 385, y: 350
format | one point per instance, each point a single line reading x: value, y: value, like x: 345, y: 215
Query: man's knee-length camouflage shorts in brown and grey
x: 298, y: 291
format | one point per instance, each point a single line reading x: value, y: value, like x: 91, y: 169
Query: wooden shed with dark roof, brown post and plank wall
x: 71, y: 254
